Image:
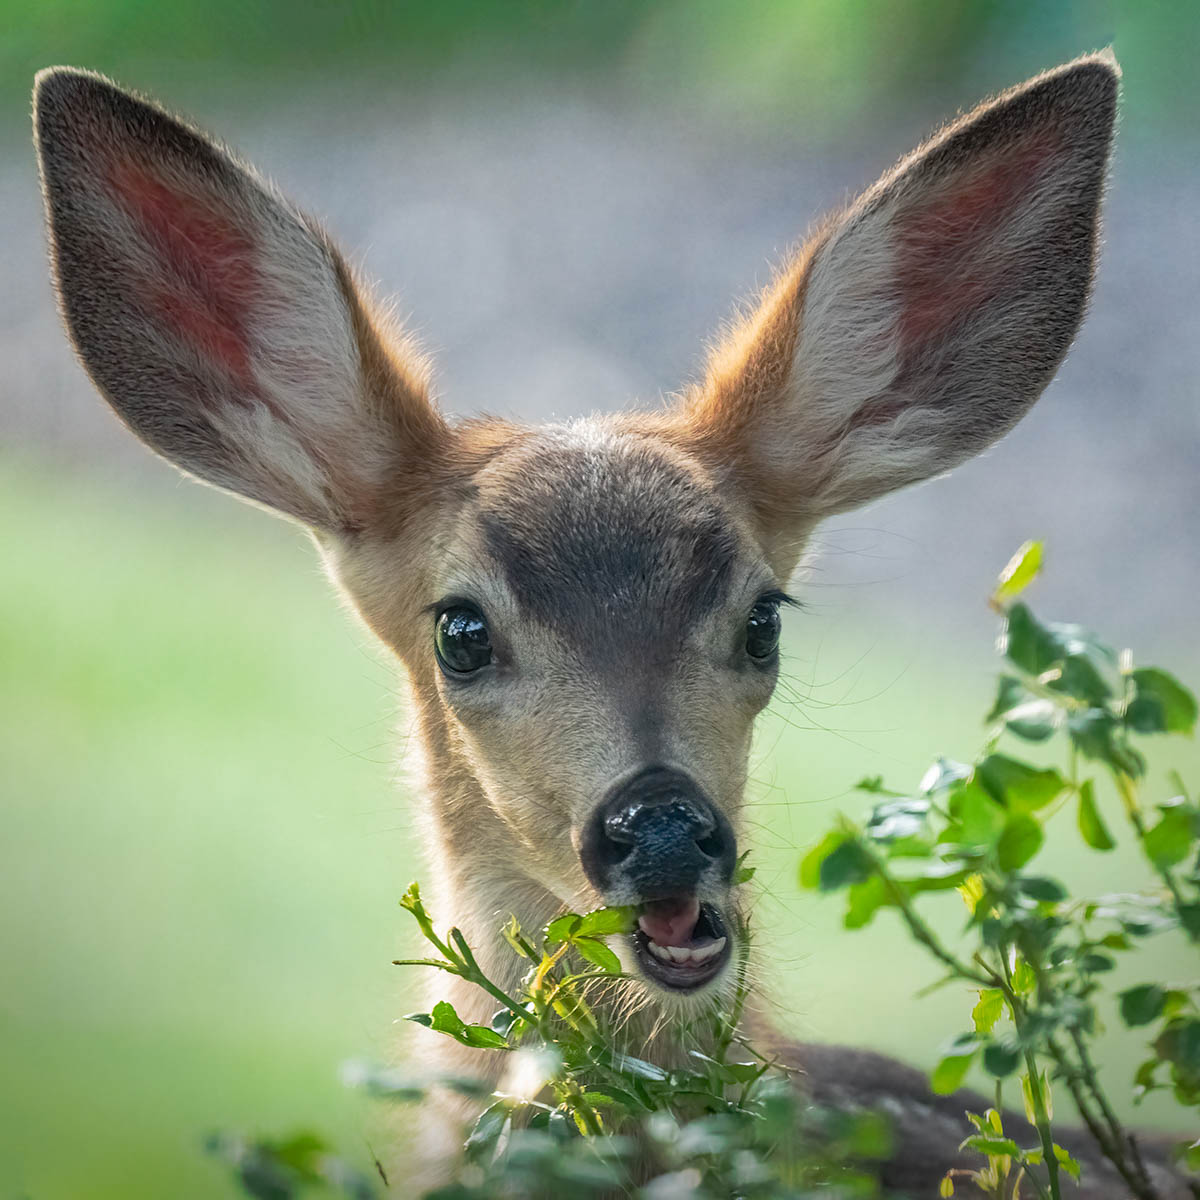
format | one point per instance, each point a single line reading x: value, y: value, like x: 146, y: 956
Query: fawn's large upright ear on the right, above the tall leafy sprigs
x: 921, y: 326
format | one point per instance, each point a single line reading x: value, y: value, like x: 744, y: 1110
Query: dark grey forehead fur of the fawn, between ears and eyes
x: 608, y: 539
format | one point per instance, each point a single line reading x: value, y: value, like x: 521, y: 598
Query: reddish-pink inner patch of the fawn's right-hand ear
x: 952, y: 253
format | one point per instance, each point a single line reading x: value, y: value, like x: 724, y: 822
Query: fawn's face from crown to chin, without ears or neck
x: 597, y: 631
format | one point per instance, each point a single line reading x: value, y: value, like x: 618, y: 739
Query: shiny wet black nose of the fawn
x: 655, y: 837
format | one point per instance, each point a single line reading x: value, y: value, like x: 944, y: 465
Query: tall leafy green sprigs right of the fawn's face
x: 1036, y: 956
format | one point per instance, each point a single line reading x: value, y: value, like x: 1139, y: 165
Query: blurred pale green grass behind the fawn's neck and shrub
x: 203, y: 845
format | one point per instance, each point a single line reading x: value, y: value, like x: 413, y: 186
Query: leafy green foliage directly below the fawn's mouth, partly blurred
x: 573, y: 1109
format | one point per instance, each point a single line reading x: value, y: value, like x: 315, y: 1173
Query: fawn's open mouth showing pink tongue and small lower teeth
x: 681, y: 943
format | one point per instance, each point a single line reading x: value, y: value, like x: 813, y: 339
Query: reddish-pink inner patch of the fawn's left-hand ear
x: 205, y: 280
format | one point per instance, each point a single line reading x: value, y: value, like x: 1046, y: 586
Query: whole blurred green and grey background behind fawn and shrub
x: 203, y: 833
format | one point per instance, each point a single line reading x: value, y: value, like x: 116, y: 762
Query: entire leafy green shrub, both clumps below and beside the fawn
x: 1035, y: 964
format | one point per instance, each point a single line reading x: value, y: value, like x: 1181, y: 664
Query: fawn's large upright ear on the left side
x: 223, y: 327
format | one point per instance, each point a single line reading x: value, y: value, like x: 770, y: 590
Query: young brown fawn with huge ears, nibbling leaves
x: 589, y: 614
